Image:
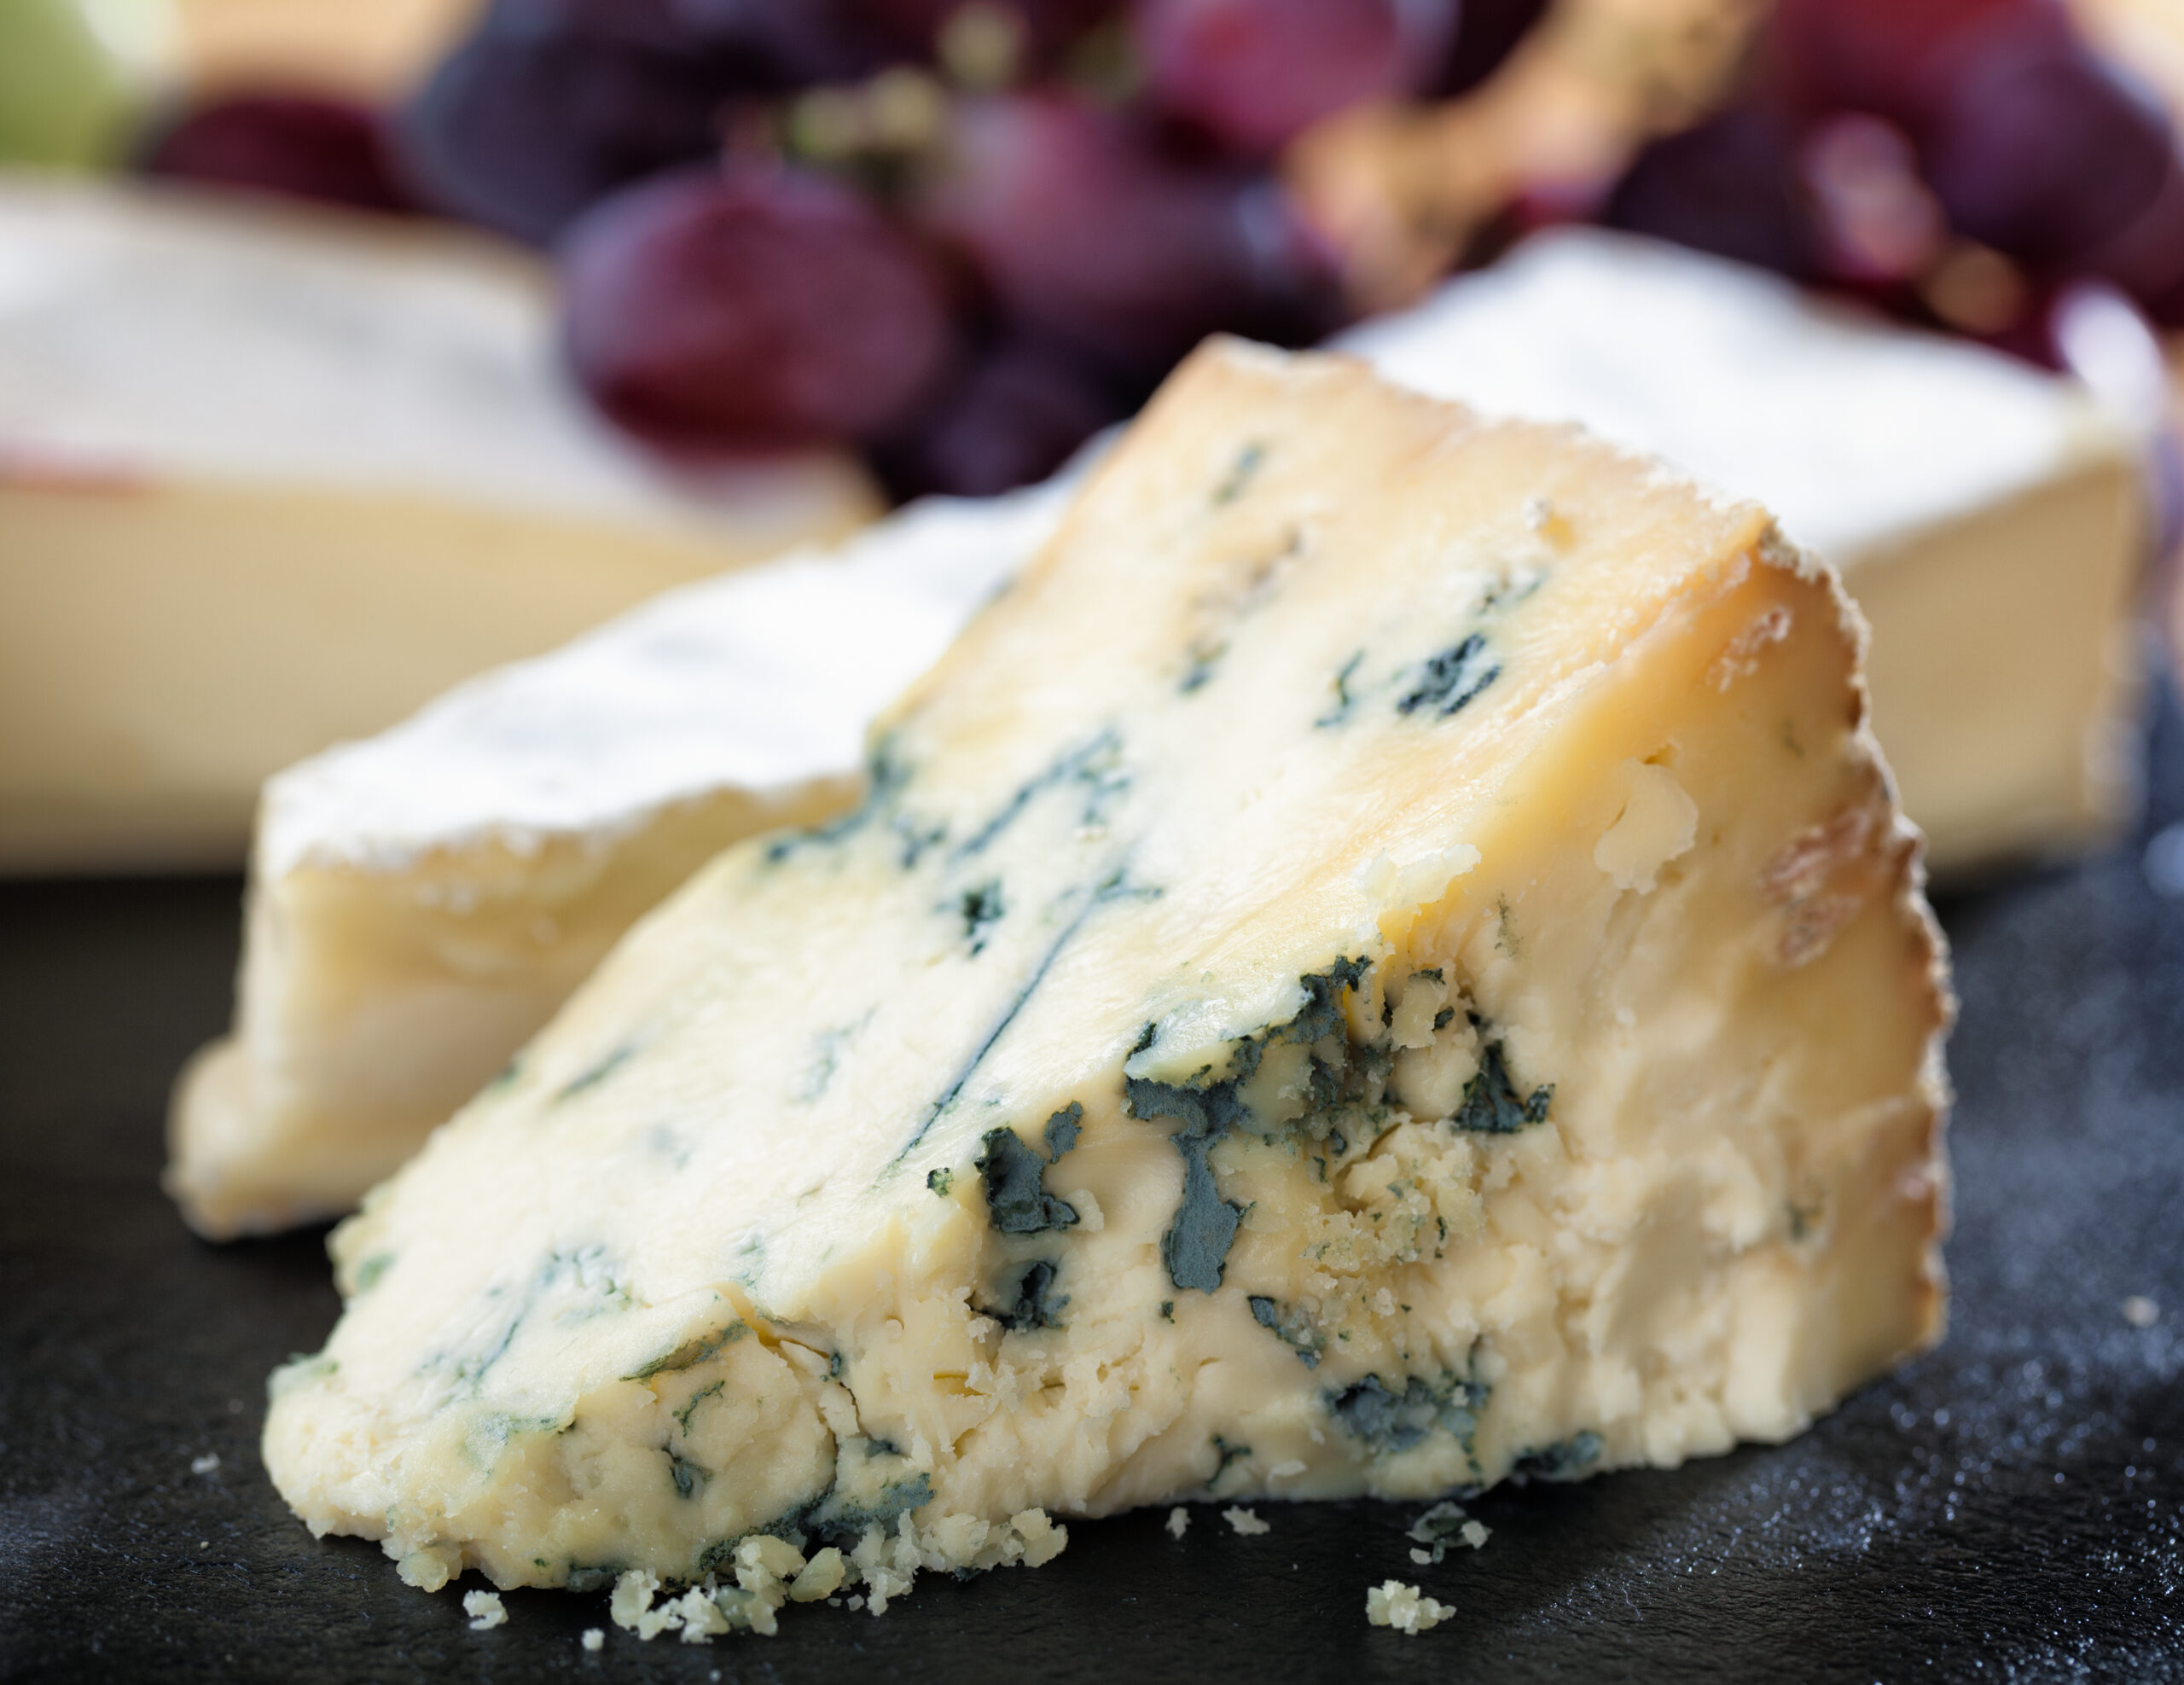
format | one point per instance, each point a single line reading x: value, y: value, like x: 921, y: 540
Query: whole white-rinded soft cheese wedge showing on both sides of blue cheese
x: 444, y: 888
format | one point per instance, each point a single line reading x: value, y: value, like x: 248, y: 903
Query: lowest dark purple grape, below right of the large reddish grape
x: 1014, y: 419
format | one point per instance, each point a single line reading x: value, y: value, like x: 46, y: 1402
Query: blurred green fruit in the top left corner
x: 71, y: 78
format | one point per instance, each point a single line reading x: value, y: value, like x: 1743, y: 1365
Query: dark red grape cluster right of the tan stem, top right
x: 1962, y: 163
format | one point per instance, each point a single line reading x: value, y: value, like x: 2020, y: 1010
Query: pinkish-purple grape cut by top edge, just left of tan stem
x: 1255, y: 73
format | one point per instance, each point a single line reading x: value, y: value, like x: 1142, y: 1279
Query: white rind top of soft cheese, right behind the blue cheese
x: 1851, y: 432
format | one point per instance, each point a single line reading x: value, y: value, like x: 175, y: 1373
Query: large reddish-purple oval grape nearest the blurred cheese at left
x: 752, y: 309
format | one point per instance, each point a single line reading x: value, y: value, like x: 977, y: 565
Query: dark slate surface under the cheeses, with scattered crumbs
x: 2010, y: 1507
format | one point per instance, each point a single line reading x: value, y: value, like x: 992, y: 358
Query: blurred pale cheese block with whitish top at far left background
x: 276, y: 478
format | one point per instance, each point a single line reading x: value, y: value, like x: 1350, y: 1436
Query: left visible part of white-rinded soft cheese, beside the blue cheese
x: 423, y: 902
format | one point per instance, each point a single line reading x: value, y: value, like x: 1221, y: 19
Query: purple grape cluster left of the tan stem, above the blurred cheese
x: 958, y: 235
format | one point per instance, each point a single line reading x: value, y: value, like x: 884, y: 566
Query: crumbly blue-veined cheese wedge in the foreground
x: 1384, y: 963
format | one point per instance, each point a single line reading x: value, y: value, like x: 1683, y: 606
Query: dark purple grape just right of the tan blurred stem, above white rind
x: 1729, y: 187
